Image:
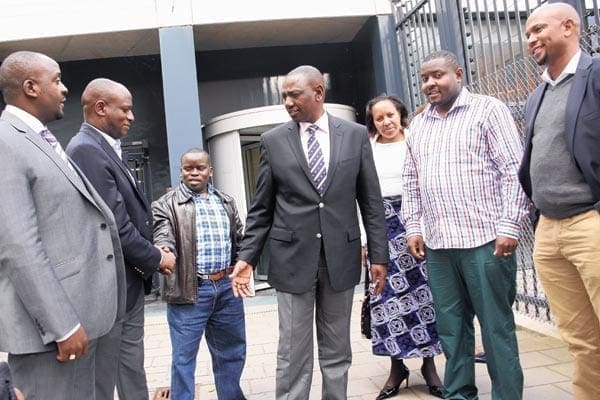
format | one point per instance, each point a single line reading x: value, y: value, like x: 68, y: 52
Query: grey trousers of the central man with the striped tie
x: 295, y: 350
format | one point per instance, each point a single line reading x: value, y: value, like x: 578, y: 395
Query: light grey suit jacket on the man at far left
x: 60, y: 256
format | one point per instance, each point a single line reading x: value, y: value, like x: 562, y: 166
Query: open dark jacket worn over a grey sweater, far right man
x: 582, y: 124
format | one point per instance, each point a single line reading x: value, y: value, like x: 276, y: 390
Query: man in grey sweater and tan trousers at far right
x: 560, y: 172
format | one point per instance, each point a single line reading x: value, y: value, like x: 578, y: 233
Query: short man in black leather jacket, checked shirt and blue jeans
x: 201, y: 225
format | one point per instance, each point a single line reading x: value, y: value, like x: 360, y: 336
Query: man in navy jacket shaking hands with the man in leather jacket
x: 107, y: 111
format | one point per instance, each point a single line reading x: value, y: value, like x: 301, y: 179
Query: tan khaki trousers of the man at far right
x: 567, y: 260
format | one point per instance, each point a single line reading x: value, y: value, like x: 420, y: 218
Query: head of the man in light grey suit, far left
x: 32, y: 82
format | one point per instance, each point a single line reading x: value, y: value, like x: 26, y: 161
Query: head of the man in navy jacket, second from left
x: 108, y: 106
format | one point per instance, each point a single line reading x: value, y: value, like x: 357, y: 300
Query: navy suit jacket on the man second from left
x: 110, y: 177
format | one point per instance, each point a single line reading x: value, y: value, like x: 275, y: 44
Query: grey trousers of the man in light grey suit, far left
x: 41, y: 377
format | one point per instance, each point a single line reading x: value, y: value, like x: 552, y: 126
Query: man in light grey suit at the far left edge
x: 61, y: 266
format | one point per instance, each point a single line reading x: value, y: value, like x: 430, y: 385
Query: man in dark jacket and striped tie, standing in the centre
x: 313, y: 171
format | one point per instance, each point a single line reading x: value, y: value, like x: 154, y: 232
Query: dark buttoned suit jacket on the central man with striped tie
x: 288, y: 211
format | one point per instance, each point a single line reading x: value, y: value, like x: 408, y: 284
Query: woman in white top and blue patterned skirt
x: 402, y: 316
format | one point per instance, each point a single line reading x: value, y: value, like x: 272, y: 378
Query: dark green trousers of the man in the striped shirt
x: 469, y: 282
